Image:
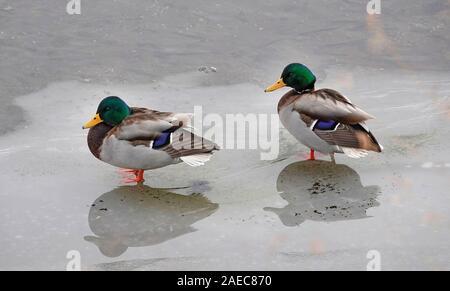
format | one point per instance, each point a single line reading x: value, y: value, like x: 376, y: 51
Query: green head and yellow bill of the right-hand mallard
x: 296, y: 76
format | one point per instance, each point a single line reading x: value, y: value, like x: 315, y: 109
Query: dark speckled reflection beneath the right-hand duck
x: 322, y: 191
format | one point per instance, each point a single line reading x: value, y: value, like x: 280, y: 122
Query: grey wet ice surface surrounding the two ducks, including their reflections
x: 237, y: 211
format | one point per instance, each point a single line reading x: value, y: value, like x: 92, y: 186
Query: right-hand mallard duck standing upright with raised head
x: 323, y: 120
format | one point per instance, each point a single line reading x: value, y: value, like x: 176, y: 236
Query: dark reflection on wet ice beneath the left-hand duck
x: 135, y: 216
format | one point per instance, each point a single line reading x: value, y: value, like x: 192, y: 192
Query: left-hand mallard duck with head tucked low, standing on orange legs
x: 139, y: 139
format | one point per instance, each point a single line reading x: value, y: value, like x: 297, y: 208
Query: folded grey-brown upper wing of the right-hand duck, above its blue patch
x: 327, y: 104
